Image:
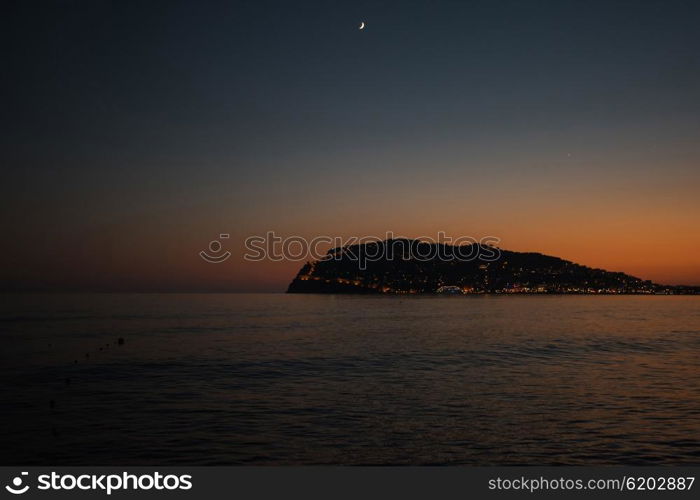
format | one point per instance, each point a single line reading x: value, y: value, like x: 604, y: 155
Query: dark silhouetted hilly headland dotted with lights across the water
x: 398, y: 271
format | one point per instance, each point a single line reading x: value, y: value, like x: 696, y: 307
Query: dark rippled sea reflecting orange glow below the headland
x: 309, y: 379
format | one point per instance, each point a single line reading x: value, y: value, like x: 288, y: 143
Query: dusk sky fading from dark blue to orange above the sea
x: 136, y: 132
